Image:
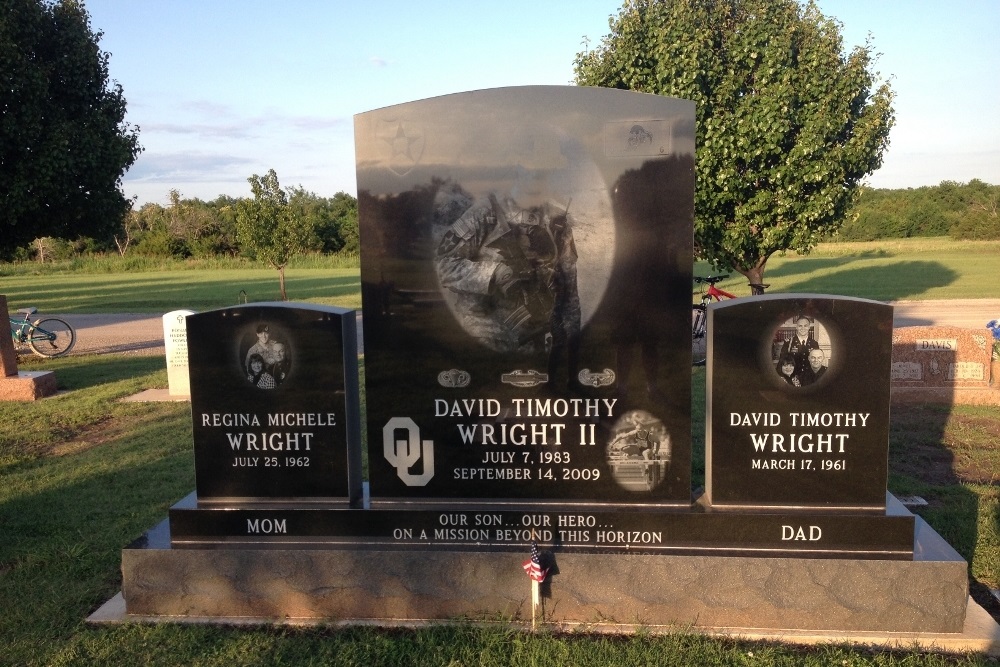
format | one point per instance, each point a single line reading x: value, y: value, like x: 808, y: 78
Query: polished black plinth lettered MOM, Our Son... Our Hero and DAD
x: 776, y: 533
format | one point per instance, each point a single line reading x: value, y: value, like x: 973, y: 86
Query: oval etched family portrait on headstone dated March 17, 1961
x: 801, y: 351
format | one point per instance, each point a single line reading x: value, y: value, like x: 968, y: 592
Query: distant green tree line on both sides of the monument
x: 203, y: 229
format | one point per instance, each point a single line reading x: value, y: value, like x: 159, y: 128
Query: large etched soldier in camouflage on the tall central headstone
x: 511, y: 269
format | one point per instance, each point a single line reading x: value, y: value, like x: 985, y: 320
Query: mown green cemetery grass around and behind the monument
x: 84, y: 474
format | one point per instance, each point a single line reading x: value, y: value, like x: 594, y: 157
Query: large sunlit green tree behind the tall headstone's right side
x: 787, y: 125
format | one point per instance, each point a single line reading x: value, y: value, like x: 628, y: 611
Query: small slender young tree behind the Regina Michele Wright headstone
x: 268, y: 229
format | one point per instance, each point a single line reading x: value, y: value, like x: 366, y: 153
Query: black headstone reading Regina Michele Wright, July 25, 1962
x: 274, y: 403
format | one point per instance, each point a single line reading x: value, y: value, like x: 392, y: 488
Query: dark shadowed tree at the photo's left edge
x: 64, y: 144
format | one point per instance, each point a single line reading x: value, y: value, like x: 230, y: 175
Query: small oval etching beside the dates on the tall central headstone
x: 639, y: 451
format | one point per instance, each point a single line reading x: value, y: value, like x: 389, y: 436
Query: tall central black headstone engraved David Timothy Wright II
x: 526, y: 271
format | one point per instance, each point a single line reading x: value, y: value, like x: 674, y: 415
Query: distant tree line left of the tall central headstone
x: 193, y: 228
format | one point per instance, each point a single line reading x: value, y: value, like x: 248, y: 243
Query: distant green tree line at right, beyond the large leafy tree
x: 960, y: 210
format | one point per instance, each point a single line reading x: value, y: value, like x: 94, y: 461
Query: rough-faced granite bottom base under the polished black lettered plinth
x: 926, y: 594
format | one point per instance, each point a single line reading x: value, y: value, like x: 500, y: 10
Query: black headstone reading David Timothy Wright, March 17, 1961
x: 798, y: 403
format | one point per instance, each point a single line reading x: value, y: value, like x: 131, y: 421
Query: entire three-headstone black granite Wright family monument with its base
x: 526, y: 280
